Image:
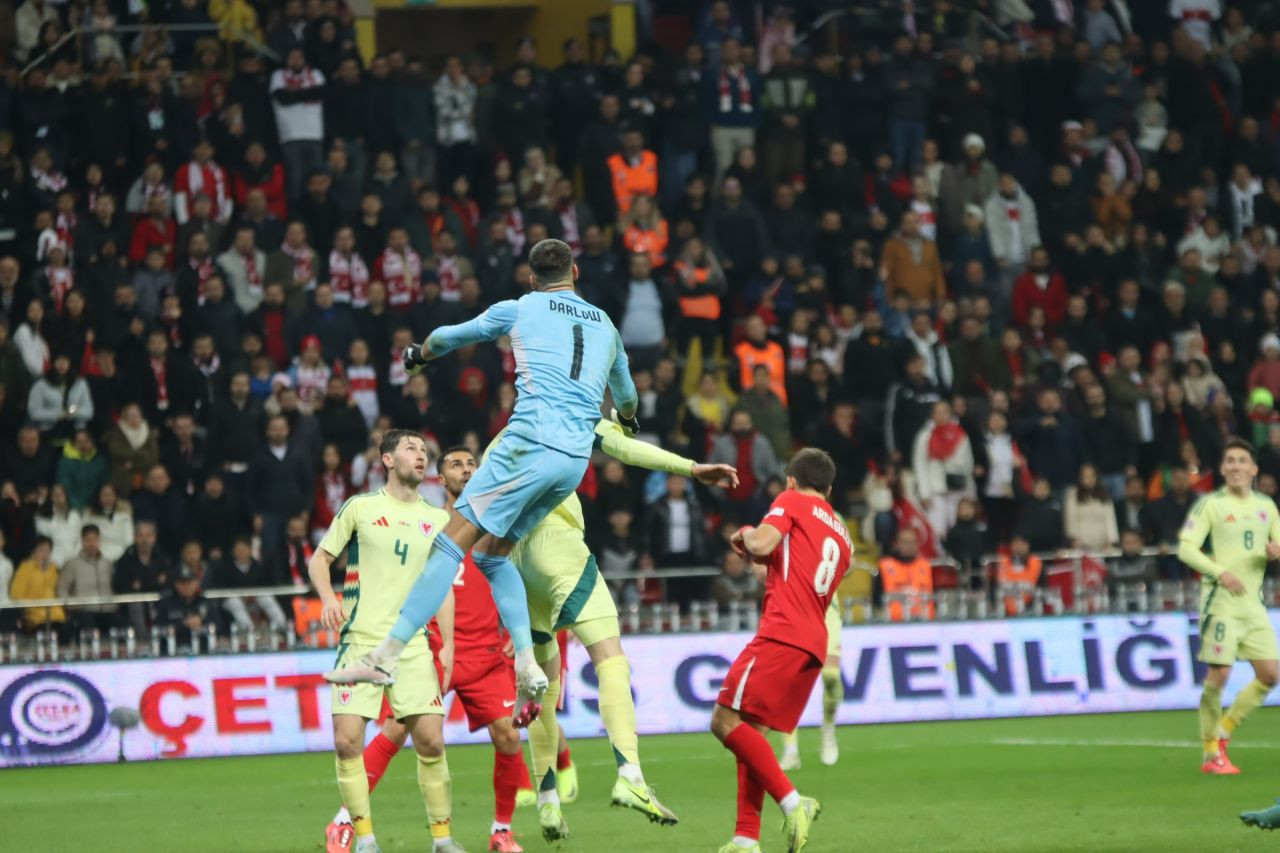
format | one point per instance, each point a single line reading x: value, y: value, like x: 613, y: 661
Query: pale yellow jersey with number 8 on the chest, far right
x: 1236, y: 532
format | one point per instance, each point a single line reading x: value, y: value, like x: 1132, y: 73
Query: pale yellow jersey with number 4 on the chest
x: 387, y: 544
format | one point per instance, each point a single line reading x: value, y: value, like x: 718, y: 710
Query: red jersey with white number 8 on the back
x: 804, y: 572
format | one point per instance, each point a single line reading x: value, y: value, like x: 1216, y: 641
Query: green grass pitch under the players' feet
x: 1098, y: 783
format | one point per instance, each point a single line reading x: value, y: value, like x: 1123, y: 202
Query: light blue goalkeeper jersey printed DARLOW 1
x: 566, y: 352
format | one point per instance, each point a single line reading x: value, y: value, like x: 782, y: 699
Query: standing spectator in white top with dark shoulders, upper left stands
x: 298, y: 94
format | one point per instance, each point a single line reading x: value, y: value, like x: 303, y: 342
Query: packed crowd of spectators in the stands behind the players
x: 1021, y: 289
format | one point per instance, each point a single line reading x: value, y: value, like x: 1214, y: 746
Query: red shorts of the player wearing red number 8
x: 771, y: 683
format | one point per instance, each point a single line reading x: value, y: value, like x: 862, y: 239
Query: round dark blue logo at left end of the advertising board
x: 49, y: 714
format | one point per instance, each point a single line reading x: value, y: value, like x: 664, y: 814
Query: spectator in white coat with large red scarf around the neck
x: 944, y: 468
